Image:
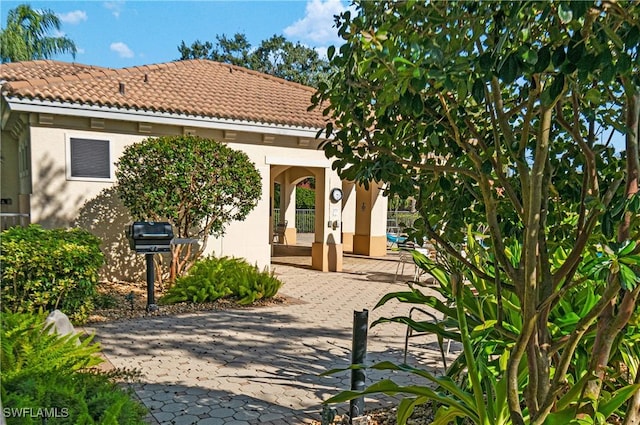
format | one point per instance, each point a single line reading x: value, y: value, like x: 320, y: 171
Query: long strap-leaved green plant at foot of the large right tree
x: 488, y: 326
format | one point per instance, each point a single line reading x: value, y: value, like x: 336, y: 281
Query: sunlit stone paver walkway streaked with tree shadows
x: 263, y: 365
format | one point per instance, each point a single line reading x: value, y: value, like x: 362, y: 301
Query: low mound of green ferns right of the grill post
x: 214, y: 278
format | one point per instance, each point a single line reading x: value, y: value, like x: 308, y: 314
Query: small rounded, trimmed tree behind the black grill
x: 198, y: 185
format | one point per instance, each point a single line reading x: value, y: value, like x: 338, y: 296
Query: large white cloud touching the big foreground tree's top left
x: 317, y: 26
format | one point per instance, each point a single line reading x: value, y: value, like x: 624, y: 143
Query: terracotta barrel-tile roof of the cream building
x: 195, y: 87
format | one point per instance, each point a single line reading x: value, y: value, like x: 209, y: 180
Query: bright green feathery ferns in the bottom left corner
x: 33, y: 359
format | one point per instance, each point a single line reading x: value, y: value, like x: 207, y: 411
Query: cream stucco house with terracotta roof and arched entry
x: 60, y: 117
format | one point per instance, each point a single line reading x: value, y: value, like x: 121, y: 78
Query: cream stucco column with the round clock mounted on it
x: 326, y: 251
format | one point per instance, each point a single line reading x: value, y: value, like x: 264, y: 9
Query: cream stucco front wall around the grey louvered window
x: 58, y: 201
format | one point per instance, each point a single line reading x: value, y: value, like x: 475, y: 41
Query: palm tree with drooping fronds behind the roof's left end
x: 25, y: 36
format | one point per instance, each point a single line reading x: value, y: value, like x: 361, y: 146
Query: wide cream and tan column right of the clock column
x: 371, y: 221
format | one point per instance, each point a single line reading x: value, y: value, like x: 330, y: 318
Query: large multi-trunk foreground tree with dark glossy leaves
x: 494, y: 115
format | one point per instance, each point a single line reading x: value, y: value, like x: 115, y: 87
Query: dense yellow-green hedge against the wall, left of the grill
x: 49, y: 269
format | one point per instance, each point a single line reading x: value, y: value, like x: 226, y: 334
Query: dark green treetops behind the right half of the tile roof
x: 275, y: 56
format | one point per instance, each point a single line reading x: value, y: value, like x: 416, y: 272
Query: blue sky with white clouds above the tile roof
x: 128, y: 33
